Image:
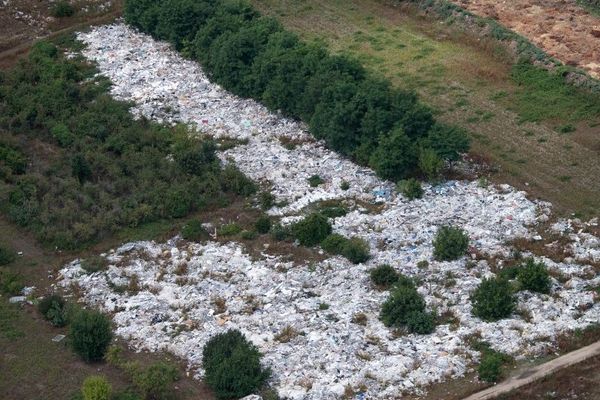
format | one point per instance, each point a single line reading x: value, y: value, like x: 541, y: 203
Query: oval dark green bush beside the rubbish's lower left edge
x: 90, y: 335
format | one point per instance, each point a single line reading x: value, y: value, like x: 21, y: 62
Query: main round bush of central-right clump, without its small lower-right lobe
x: 403, y: 301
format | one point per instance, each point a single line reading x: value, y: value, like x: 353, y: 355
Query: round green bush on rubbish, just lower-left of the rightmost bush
x: 493, y: 299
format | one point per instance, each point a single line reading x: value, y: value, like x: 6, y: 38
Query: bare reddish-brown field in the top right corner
x: 562, y: 28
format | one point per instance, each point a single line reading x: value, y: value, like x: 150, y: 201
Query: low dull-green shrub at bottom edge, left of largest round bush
x: 156, y: 380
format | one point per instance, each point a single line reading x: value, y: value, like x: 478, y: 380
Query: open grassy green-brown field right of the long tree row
x: 468, y: 81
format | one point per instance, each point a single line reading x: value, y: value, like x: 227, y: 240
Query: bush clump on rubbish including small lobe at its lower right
x: 405, y: 308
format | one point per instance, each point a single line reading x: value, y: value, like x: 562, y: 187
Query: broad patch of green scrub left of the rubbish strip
x: 75, y: 166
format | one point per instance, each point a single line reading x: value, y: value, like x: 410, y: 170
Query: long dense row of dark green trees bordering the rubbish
x: 359, y: 115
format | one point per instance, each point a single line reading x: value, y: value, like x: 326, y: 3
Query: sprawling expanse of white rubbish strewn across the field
x: 183, y: 293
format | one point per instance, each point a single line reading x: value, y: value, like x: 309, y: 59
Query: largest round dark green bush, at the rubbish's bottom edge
x: 232, y: 366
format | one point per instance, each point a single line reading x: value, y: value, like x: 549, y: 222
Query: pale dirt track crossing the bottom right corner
x: 538, y: 372
